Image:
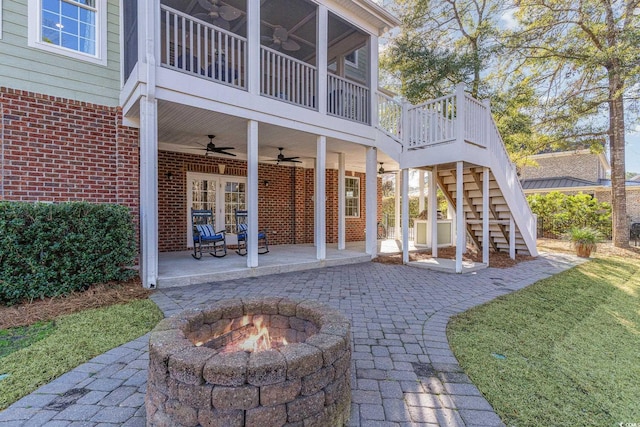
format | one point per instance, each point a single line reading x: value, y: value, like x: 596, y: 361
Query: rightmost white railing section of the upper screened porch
x: 347, y: 99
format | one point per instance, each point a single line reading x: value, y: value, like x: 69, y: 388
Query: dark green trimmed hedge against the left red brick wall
x: 53, y: 249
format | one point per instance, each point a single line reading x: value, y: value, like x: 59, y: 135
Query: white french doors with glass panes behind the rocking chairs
x: 219, y: 193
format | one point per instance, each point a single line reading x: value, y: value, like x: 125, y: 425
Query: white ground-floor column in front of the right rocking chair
x: 252, y: 193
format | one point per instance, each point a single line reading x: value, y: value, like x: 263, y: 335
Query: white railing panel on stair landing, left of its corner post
x: 433, y: 122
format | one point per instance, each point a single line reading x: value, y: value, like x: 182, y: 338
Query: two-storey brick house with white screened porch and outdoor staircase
x: 112, y: 101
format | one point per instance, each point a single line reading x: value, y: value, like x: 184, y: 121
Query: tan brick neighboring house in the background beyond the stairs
x: 573, y: 172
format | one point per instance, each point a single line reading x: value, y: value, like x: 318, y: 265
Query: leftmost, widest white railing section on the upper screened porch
x: 196, y: 47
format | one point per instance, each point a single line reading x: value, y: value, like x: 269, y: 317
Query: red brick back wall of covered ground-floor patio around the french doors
x: 286, y: 204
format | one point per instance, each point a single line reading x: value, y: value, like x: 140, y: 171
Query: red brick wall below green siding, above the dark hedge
x: 59, y: 150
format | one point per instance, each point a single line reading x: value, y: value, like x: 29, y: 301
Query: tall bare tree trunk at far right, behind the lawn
x: 616, y: 149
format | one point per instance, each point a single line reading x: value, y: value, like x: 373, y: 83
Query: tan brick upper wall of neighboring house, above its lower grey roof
x: 583, y: 166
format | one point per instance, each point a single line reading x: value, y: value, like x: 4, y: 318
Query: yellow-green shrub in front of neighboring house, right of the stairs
x: 558, y: 213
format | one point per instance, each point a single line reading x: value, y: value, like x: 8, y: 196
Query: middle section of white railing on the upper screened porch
x: 287, y: 78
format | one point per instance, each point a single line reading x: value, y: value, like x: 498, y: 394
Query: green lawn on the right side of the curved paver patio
x: 571, y: 345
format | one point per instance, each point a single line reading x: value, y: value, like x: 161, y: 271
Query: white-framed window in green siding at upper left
x: 75, y: 28
